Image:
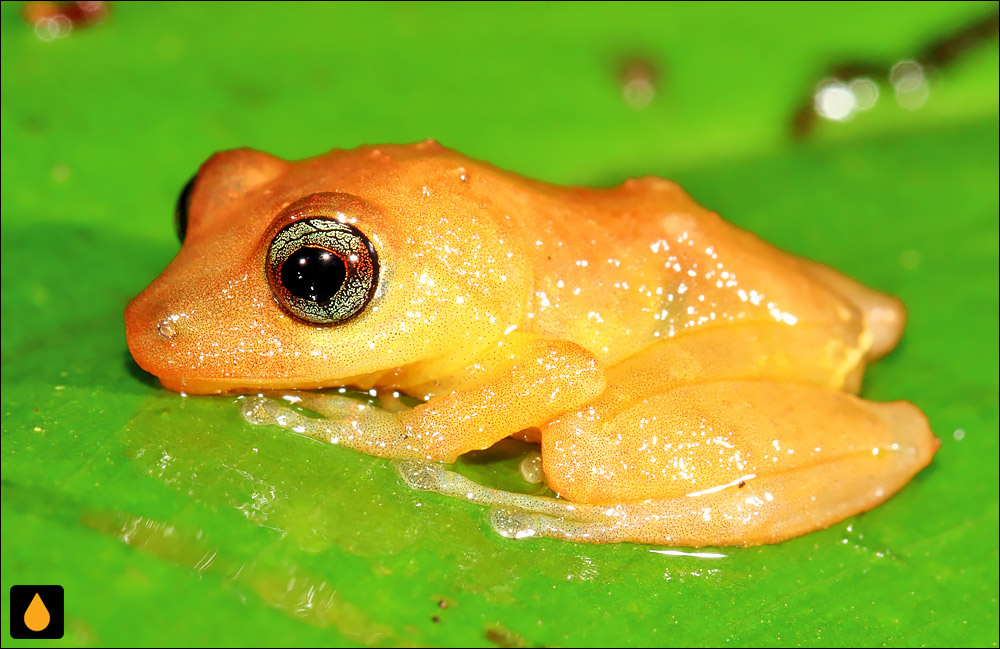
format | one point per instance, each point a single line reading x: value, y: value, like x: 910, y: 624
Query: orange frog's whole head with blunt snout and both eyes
x: 327, y: 271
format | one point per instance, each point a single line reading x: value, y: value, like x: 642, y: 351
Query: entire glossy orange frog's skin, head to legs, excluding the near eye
x: 688, y: 383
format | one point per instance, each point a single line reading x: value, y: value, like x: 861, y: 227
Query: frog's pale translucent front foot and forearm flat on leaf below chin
x: 344, y: 422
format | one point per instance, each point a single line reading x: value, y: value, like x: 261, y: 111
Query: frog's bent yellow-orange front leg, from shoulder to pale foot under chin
x: 520, y: 382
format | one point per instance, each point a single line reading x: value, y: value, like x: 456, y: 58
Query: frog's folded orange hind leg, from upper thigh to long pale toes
x: 729, y: 436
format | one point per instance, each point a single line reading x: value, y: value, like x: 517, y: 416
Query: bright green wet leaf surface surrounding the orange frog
x: 170, y: 521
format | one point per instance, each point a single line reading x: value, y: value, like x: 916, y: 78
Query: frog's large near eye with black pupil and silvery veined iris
x: 321, y: 270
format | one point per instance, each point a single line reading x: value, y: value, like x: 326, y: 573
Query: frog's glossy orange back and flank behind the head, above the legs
x: 619, y: 269
